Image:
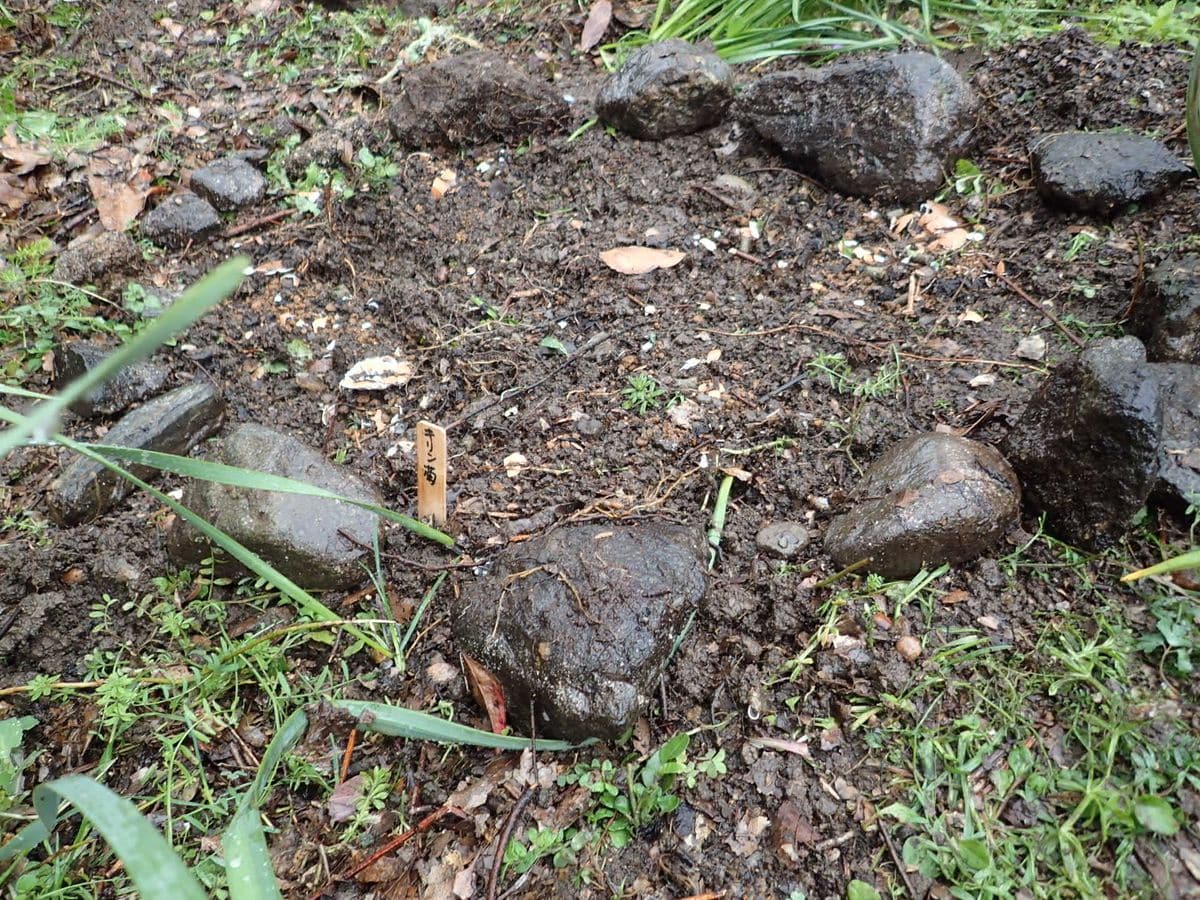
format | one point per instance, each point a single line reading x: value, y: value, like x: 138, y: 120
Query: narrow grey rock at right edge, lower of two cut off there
x: 1179, y: 473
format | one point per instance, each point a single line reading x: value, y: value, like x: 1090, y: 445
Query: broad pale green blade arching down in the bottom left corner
x: 153, y: 866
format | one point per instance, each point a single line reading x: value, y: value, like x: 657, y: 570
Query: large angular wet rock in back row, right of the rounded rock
x: 890, y: 127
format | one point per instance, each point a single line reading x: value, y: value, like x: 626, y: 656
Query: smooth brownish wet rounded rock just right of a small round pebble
x: 931, y: 500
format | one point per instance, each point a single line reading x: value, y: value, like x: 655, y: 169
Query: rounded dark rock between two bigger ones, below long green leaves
x: 664, y: 89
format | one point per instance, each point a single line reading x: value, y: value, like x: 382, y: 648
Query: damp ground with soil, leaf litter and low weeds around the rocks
x: 829, y: 335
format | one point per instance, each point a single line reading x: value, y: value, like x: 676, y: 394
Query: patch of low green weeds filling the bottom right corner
x: 1082, y: 793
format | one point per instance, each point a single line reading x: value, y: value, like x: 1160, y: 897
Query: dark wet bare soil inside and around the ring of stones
x: 470, y: 287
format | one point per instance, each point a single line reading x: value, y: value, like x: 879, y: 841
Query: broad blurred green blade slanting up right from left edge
x: 199, y: 299
